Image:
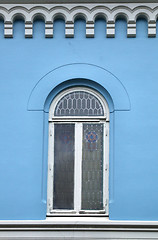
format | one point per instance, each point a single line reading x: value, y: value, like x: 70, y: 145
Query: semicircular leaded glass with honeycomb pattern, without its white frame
x: 79, y: 103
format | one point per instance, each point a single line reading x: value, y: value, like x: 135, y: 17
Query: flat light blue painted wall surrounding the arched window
x: 23, y: 144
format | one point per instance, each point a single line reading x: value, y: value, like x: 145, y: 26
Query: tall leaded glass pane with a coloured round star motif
x: 92, y: 167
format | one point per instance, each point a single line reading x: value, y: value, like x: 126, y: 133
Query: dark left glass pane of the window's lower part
x: 63, y: 197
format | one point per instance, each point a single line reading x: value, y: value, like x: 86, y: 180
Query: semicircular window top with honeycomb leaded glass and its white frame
x: 79, y: 102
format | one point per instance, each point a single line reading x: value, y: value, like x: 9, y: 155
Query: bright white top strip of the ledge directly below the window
x: 104, y: 221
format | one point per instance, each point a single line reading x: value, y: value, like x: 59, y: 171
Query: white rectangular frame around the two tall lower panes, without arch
x: 78, y: 171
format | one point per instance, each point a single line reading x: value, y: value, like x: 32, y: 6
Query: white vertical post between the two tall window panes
x: 78, y: 166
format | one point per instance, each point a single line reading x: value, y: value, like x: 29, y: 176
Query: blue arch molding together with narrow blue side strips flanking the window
x: 82, y: 75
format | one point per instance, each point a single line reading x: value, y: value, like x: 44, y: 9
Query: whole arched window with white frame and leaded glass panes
x: 78, y: 153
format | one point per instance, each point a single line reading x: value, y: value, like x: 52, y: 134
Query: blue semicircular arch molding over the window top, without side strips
x: 79, y: 75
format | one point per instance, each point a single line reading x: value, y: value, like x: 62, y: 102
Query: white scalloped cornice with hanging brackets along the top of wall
x: 89, y: 11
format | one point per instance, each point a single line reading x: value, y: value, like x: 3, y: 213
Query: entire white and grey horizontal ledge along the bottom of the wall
x: 78, y: 228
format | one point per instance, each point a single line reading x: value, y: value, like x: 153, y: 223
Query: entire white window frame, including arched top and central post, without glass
x: 78, y: 122
